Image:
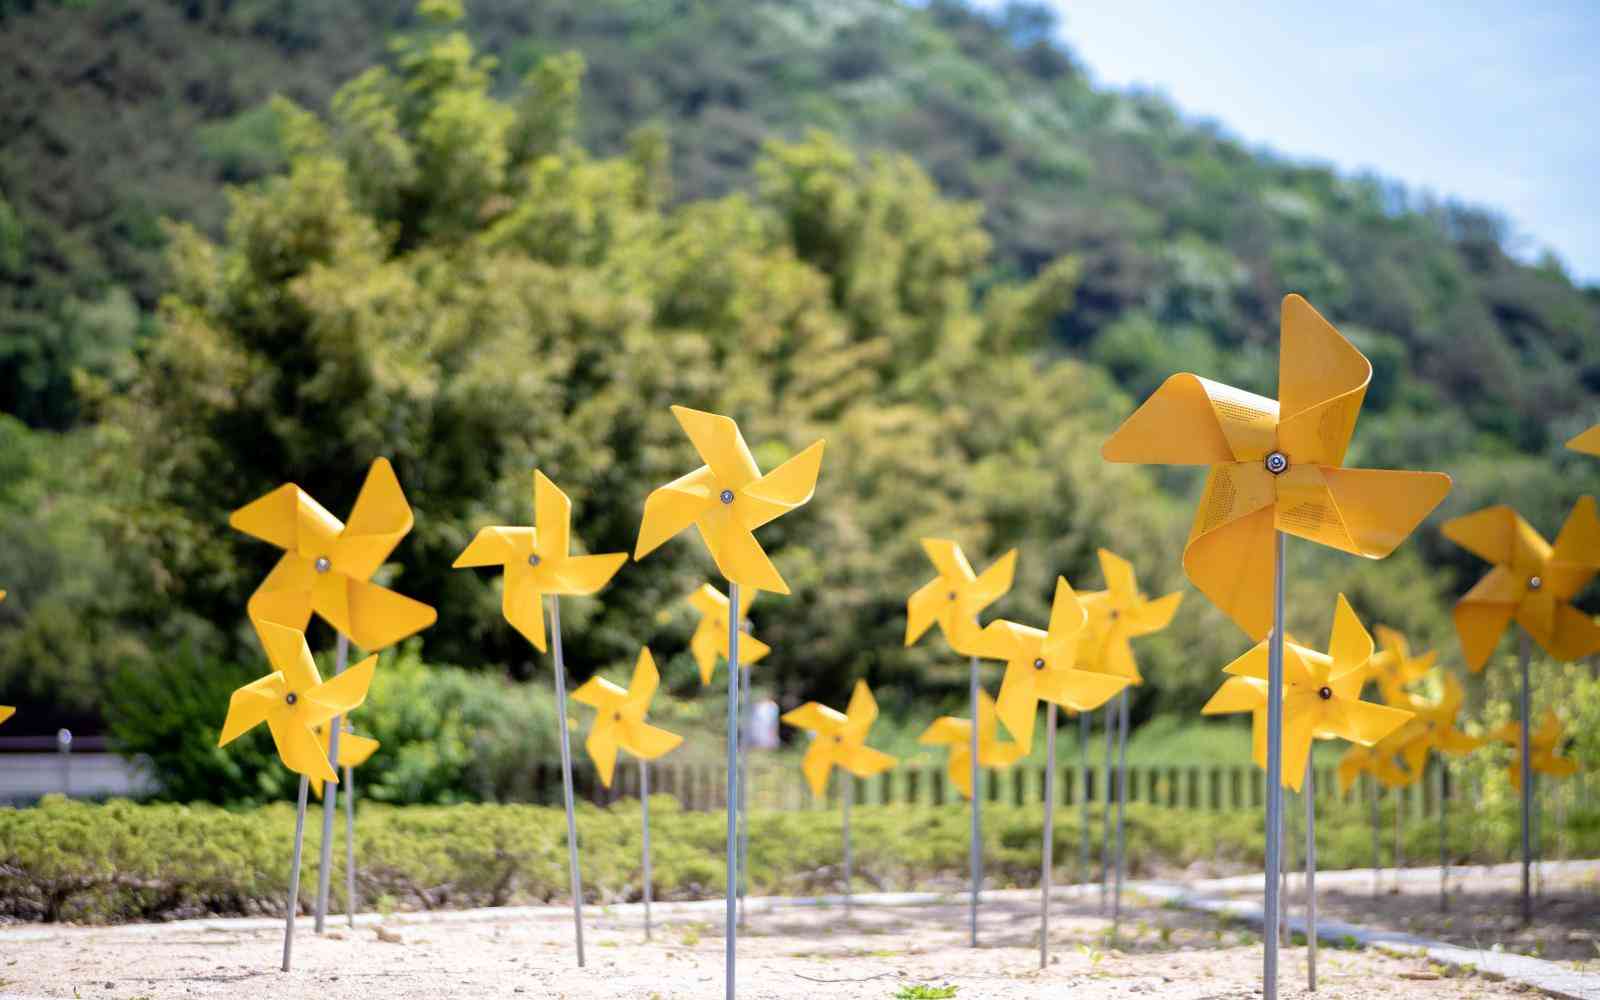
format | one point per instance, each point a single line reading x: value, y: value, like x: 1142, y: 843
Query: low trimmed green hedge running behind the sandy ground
x: 124, y: 862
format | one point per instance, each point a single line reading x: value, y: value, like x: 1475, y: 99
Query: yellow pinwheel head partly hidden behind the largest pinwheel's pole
x: 1322, y: 695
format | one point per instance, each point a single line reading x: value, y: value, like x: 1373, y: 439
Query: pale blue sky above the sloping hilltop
x: 1489, y: 103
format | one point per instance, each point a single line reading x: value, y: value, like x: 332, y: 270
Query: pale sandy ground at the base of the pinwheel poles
x: 814, y: 953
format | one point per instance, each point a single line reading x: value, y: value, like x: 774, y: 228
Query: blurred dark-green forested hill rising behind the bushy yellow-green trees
x: 122, y: 113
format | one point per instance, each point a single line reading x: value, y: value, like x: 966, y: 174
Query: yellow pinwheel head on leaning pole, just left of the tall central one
x: 537, y: 561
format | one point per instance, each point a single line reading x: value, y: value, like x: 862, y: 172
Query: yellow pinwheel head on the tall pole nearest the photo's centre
x: 729, y: 500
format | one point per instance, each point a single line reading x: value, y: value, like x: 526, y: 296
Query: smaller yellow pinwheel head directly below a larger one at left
x: 294, y: 702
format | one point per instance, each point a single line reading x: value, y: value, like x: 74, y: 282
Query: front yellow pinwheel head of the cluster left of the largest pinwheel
x: 1039, y: 666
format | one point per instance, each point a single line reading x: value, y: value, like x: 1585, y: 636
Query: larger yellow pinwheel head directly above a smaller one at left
x: 327, y: 566
